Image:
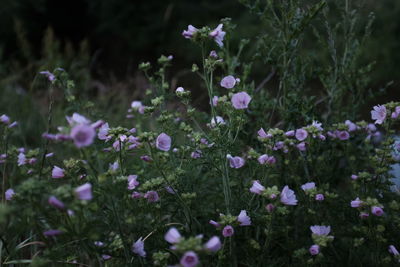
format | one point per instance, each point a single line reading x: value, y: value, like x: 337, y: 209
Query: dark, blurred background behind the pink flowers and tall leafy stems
x: 100, y: 43
